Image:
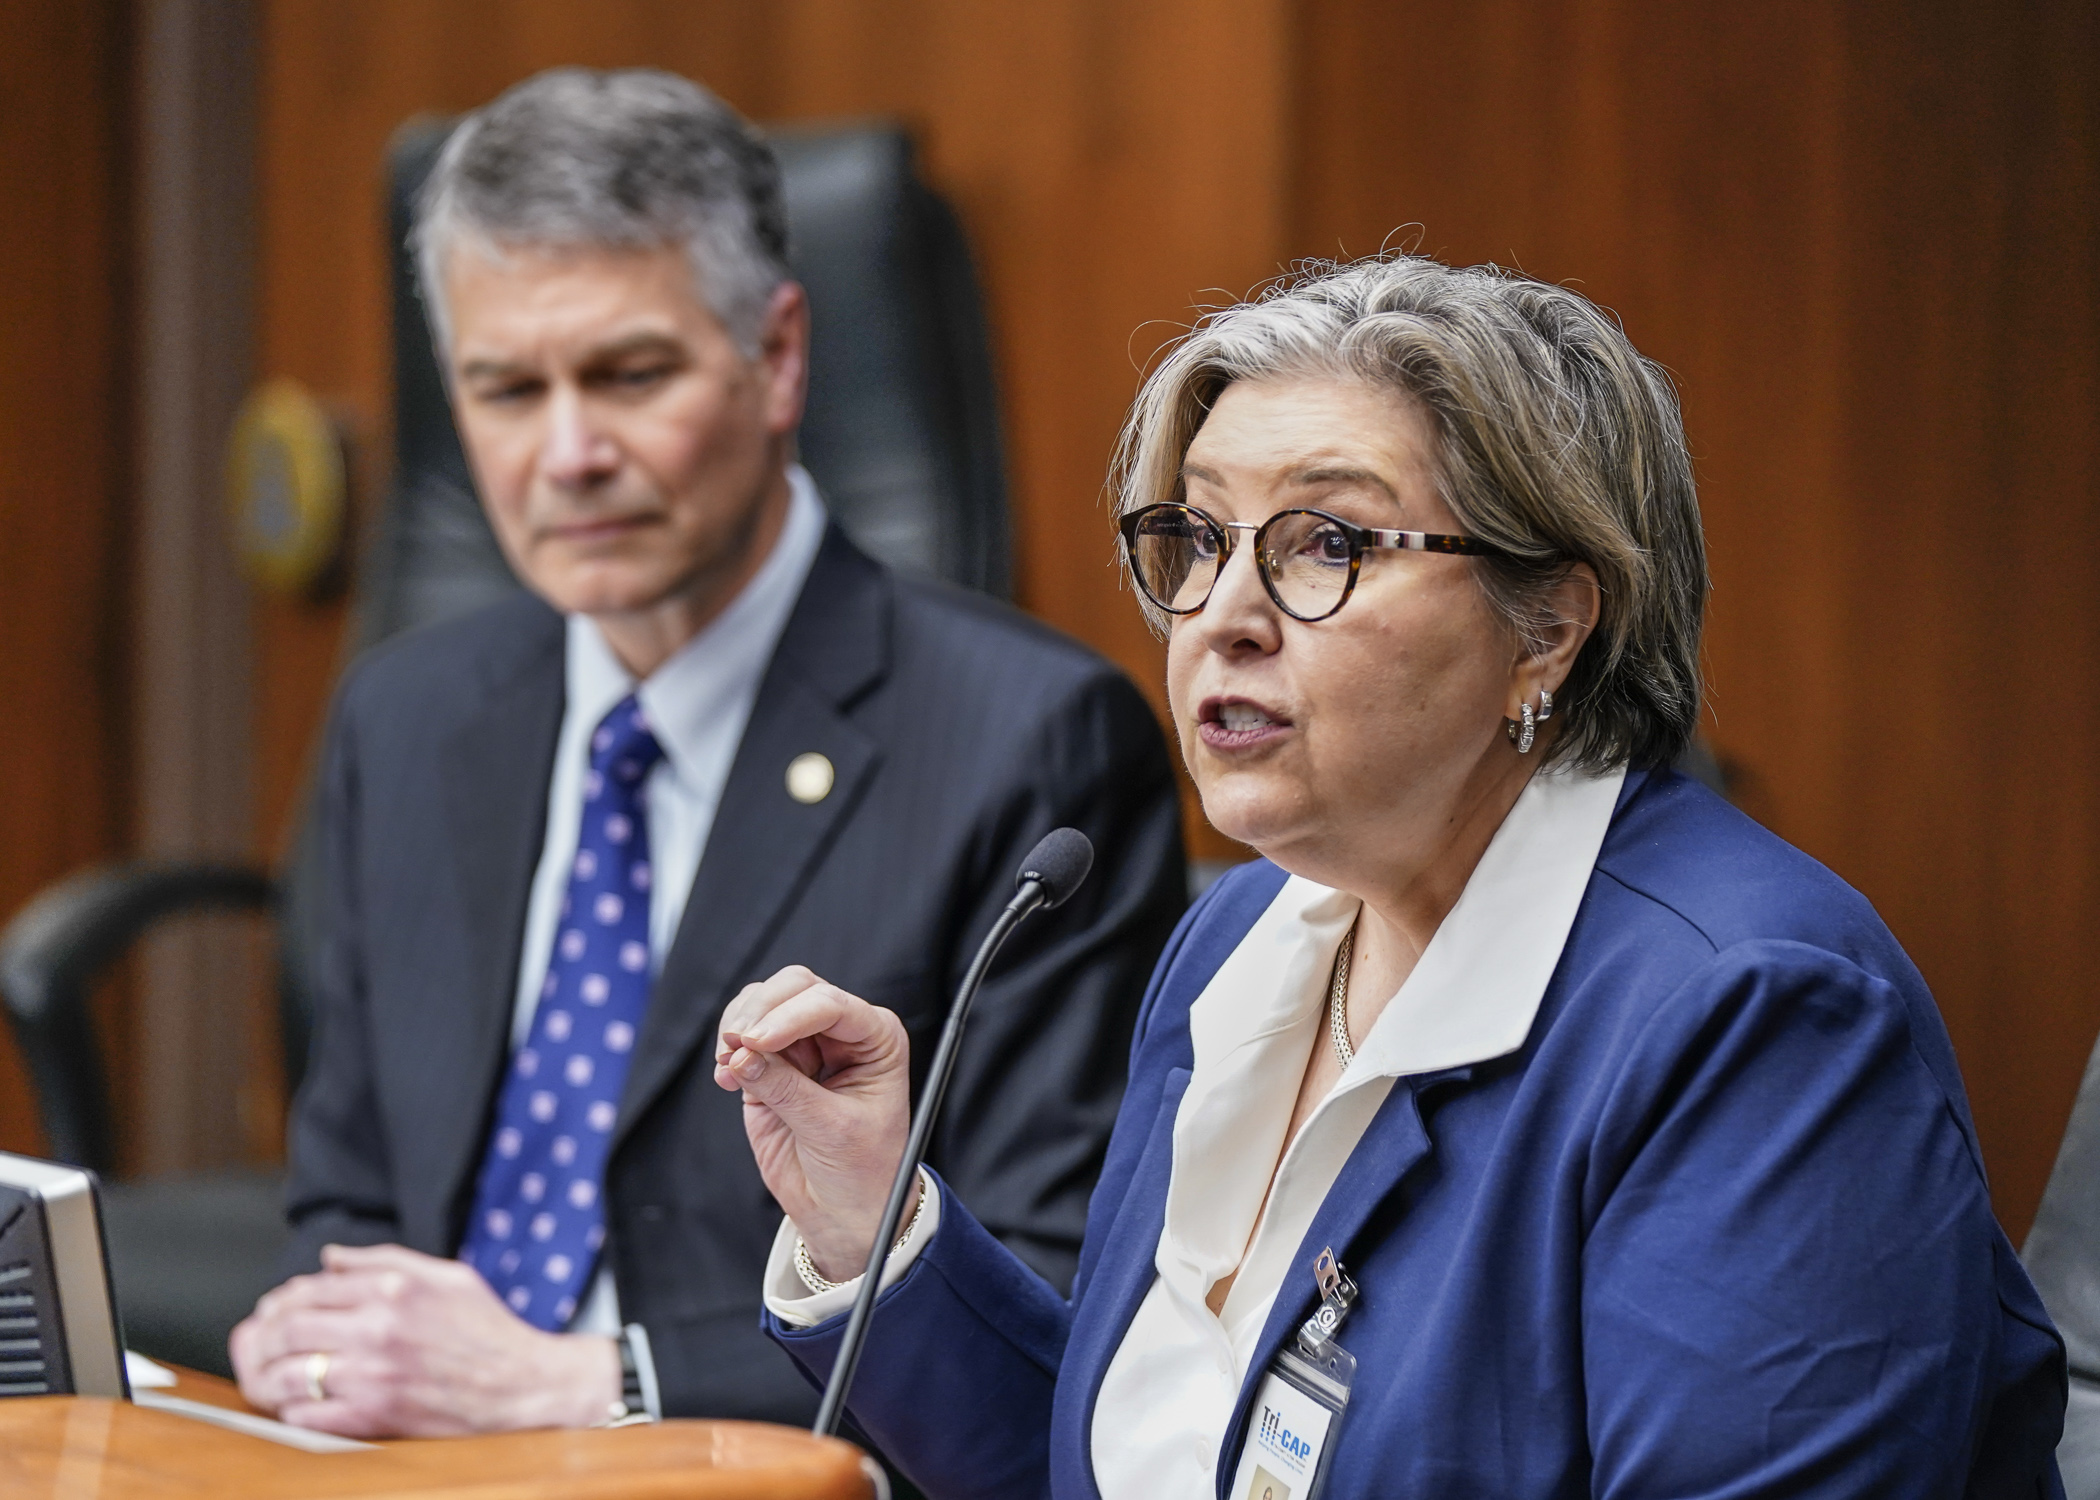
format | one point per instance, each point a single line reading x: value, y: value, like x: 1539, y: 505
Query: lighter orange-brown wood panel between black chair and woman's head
x: 1104, y: 205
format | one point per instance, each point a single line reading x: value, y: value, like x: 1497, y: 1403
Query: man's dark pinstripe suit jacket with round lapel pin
x: 961, y: 734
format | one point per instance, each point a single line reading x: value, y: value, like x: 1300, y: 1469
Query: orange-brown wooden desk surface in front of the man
x: 85, y: 1449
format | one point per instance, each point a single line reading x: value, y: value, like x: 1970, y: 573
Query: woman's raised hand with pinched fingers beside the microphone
x: 826, y: 1104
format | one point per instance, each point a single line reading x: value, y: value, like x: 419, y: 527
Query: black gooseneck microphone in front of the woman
x: 1053, y: 871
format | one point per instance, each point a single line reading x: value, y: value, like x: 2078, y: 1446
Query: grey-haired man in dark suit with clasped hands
x: 715, y: 741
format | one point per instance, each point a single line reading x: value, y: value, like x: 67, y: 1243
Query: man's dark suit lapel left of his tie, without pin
x: 497, y: 772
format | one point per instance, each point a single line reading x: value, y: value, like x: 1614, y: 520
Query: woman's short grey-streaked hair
x: 1559, y: 444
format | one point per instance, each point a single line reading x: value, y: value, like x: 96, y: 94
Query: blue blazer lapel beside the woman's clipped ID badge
x: 1391, y: 1148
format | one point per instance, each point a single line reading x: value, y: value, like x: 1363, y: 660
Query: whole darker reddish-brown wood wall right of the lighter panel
x: 1864, y: 238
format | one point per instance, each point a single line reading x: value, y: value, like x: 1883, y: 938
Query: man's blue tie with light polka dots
x: 539, y: 1220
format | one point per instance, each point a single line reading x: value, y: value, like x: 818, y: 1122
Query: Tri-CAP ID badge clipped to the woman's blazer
x: 1301, y: 1402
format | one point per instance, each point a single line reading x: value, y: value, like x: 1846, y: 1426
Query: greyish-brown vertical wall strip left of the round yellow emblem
x: 215, y: 1096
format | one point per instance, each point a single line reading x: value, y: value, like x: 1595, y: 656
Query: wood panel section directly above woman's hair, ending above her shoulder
x: 1647, y: 161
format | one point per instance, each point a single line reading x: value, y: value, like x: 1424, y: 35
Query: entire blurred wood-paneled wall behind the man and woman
x: 1862, y: 234
